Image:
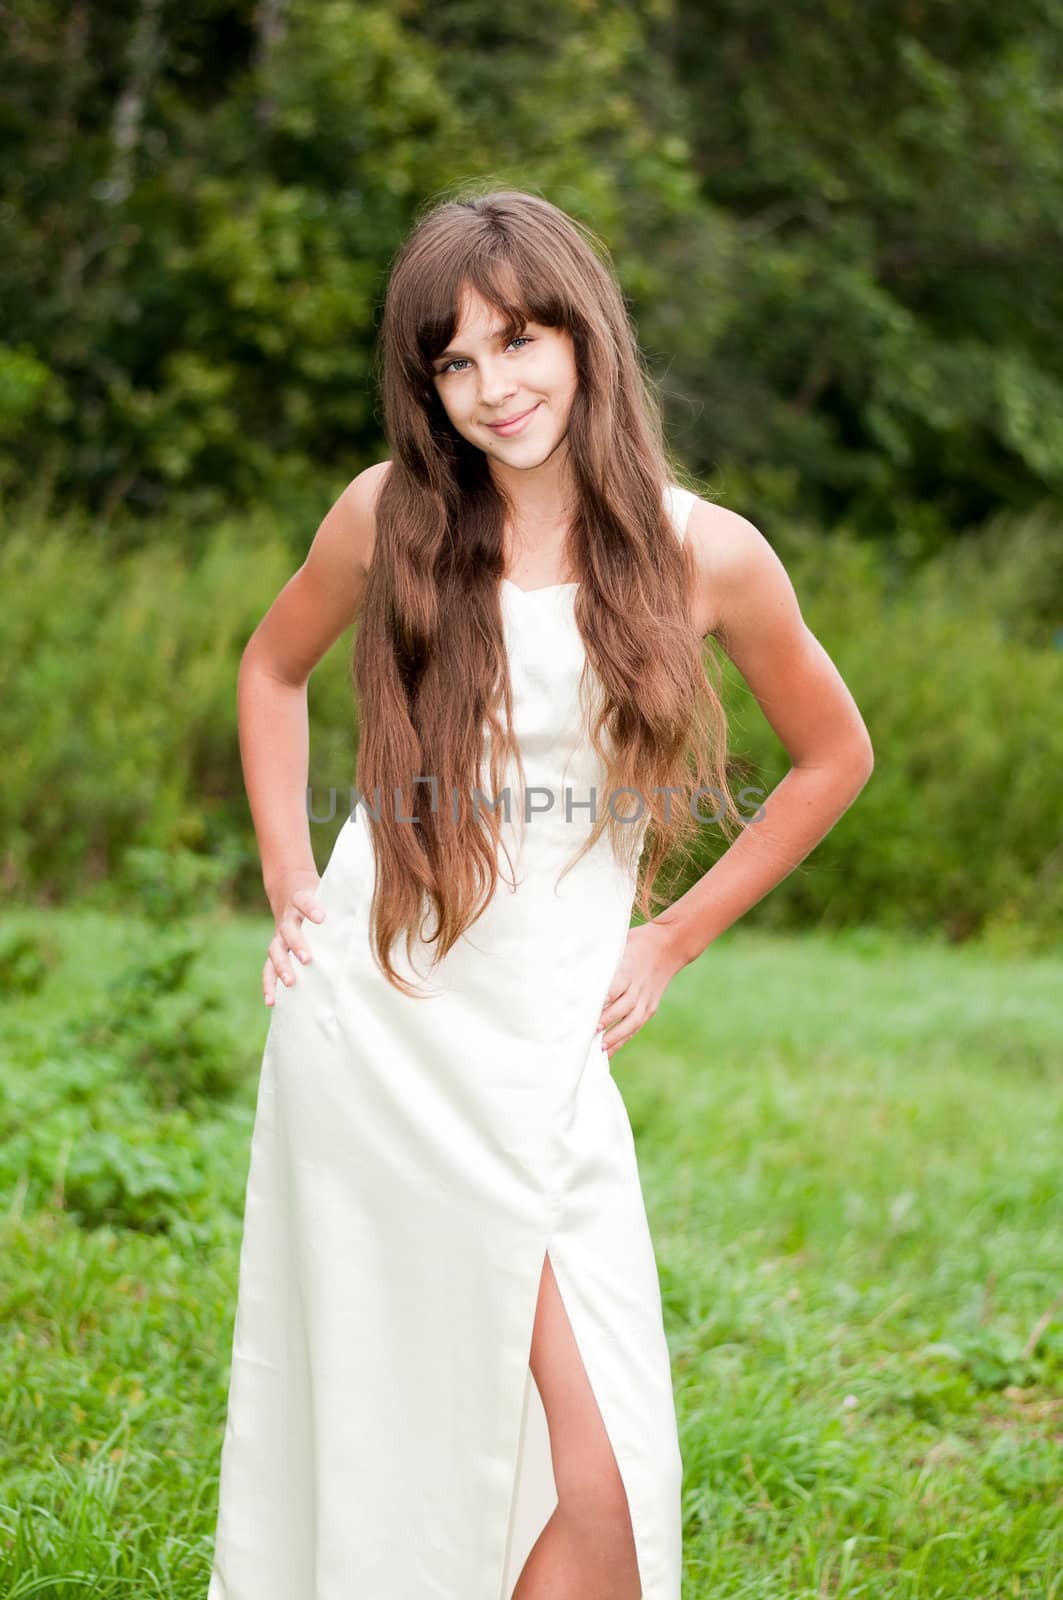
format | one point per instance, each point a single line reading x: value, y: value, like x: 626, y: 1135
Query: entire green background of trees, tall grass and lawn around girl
x: 840, y: 233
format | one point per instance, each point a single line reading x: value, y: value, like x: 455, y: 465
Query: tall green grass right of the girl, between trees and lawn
x: 958, y: 673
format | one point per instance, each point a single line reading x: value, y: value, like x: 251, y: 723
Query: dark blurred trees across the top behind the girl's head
x: 838, y: 236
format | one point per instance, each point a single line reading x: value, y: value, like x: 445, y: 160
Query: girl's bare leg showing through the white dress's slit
x: 587, y: 1550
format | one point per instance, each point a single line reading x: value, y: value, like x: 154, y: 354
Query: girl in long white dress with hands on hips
x: 449, y: 1367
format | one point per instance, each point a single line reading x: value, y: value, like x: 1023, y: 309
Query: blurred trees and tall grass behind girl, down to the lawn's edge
x: 840, y: 238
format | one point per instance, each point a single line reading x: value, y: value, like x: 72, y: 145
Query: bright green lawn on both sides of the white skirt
x: 851, y: 1148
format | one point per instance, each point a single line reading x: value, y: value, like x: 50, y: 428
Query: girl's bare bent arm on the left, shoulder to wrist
x: 308, y: 617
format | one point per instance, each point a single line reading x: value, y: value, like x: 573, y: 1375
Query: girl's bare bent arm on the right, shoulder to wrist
x: 748, y: 602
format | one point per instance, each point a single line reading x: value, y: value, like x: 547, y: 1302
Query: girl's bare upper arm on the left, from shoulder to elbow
x: 324, y: 598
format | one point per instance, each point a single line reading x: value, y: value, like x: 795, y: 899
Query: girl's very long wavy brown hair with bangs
x: 430, y: 657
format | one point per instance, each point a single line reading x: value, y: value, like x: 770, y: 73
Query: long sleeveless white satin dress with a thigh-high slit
x: 412, y: 1164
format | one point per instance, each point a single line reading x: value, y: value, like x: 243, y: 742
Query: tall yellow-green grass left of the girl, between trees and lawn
x: 148, y: 756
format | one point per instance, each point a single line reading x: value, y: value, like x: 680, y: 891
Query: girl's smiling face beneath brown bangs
x: 529, y: 382
